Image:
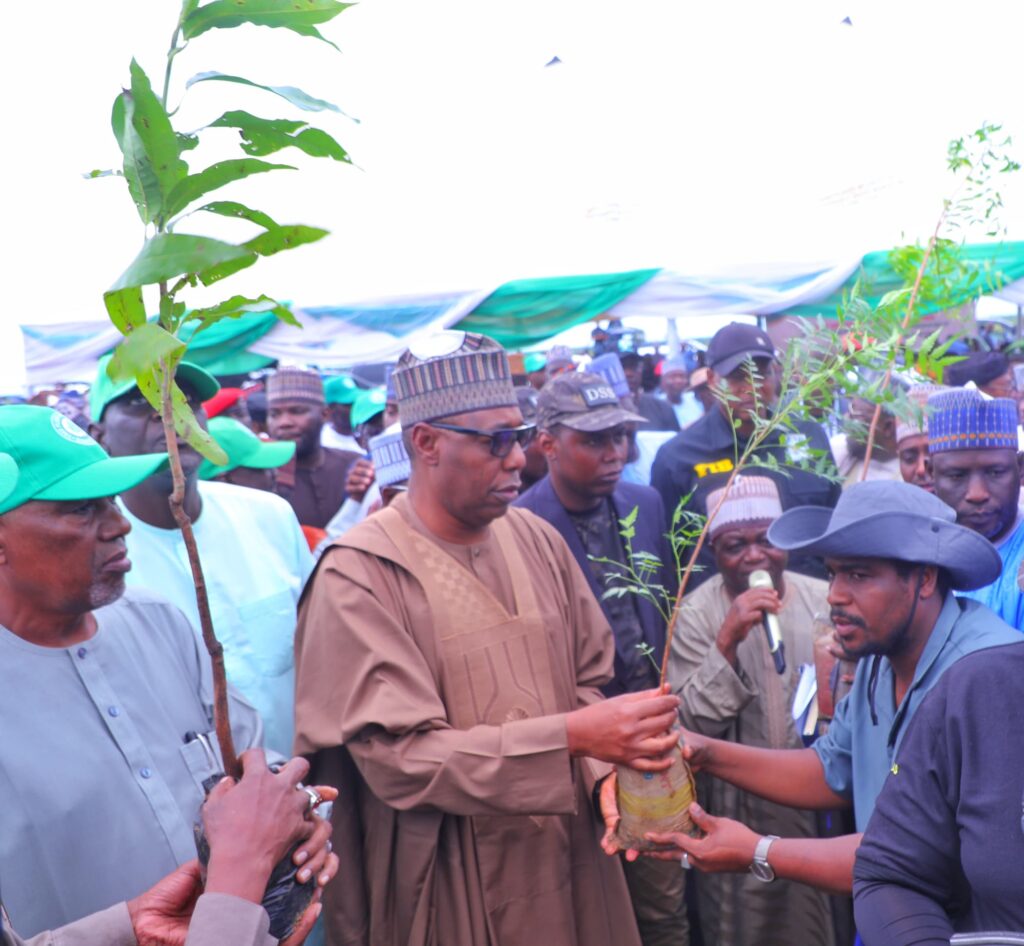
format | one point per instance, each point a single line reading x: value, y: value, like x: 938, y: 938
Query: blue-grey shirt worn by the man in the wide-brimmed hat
x: 858, y: 753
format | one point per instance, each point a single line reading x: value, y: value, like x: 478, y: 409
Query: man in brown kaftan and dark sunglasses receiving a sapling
x: 449, y: 661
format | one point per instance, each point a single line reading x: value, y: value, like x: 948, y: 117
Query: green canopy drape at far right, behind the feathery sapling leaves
x: 991, y: 268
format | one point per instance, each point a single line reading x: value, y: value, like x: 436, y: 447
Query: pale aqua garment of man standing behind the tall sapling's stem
x: 255, y: 562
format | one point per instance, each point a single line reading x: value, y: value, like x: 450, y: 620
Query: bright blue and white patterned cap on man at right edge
x: 963, y: 419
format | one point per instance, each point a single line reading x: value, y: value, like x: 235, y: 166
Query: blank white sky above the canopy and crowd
x: 689, y: 136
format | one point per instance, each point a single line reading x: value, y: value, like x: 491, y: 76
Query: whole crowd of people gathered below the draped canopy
x: 448, y: 597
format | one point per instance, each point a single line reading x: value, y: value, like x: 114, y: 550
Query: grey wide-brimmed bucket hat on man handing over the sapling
x: 895, y: 521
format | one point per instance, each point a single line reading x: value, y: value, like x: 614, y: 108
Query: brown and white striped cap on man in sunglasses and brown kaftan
x: 452, y: 373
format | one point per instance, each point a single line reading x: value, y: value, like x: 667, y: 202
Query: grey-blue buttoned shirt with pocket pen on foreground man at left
x: 99, y: 789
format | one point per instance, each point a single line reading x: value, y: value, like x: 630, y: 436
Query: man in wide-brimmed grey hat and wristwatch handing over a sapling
x: 894, y: 555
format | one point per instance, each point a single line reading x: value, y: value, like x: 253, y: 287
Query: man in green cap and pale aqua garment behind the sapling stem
x: 254, y: 554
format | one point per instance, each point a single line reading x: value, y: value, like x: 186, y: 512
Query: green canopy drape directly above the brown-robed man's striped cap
x: 527, y: 312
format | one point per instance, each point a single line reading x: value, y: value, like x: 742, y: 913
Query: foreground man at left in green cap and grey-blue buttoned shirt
x: 102, y: 689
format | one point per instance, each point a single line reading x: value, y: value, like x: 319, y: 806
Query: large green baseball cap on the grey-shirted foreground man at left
x: 57, y: 460
